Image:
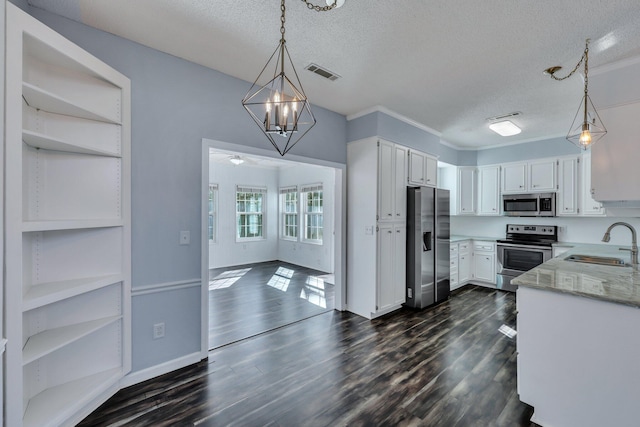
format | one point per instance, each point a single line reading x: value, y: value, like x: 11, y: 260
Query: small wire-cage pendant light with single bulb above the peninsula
x: 587, y: 128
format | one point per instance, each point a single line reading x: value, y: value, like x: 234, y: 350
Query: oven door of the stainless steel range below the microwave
x: 515, y: 259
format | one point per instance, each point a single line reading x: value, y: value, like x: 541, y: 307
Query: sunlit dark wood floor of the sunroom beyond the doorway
x: 251, y: 299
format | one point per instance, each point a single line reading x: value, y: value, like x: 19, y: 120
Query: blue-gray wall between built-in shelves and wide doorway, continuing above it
x: 175, y: 104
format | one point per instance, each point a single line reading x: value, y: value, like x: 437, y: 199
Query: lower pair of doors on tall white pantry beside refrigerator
x: 391, y: 286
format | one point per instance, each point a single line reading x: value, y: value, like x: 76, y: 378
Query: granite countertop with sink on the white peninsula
x: 606, y: 283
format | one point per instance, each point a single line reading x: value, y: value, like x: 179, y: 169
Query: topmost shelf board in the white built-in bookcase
x: 44, y: 100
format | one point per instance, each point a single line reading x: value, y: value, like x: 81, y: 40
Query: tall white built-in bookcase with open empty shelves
x: 67, y: 227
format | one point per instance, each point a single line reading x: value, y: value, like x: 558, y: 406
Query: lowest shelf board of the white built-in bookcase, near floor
x: 54, y: 405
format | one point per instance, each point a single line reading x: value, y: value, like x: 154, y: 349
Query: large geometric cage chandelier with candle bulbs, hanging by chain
x: 280, y: 107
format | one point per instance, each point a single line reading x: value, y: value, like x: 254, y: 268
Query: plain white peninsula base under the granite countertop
x: 576, y: 356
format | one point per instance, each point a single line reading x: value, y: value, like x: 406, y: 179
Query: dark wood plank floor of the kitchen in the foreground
x: 443, y: 366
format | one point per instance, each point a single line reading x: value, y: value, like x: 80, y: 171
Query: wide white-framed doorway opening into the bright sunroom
x: 272, y: 241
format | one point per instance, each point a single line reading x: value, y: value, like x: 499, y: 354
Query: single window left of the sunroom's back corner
x: 250, y: 212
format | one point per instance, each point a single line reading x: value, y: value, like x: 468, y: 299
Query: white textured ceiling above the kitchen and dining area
x: 445, y: 64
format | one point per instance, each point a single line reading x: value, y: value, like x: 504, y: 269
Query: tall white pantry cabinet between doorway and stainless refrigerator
x: 376, y: 237
